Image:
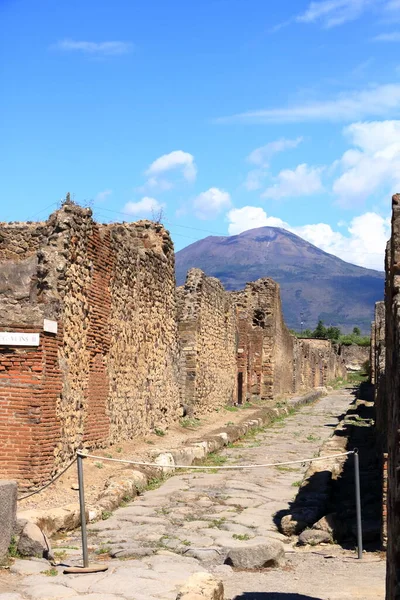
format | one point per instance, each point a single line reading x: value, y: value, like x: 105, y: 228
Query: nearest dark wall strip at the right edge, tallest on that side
x: 392, y: 393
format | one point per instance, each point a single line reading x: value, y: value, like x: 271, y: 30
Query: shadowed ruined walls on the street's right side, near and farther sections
x: 385, y: 374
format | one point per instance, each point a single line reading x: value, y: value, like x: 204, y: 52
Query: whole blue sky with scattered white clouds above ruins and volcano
x: 224, y: 114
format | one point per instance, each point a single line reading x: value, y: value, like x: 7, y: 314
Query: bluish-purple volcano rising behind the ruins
x: 314, y: 284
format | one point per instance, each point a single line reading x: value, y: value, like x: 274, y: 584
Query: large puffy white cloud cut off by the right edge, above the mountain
x: 373, y: 162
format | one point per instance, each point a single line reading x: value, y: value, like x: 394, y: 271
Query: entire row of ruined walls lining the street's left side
x: 103, y: 346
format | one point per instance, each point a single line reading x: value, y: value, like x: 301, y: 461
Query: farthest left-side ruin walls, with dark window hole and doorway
x: 272, y: 361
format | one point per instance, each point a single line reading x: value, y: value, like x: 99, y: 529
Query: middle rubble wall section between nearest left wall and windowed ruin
x: 207, y: 329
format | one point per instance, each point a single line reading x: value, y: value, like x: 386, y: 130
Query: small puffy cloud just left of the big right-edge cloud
x: 302, y: 181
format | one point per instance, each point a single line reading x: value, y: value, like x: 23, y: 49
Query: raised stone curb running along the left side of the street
x: 130, y: 481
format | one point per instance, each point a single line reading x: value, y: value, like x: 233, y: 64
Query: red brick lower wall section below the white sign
x: 29, y: 382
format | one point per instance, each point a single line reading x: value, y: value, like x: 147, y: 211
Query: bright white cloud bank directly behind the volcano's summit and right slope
x: 363, y: 244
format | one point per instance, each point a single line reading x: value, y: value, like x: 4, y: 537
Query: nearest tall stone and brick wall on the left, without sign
x: 111, y: 371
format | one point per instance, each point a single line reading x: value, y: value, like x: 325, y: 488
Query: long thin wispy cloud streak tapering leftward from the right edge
x: 378, y: 101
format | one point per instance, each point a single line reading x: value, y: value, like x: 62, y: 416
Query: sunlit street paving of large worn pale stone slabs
x: 191, y: 522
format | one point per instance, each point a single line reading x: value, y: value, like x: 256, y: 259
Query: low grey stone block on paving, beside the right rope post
x: 256, y: 556
